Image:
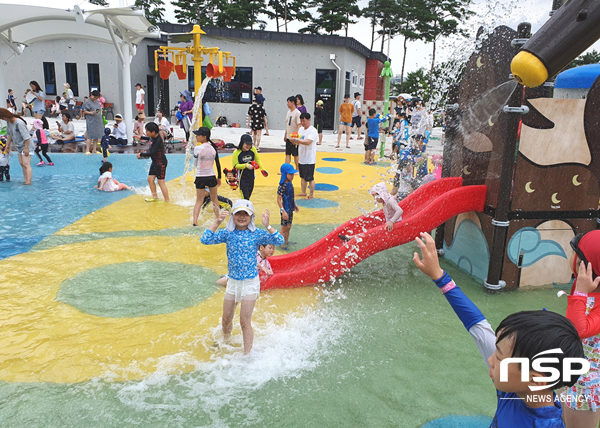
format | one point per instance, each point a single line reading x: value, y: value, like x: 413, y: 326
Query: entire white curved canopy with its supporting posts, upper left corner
x: 125, y: 27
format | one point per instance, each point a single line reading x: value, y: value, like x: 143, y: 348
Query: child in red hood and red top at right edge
x: 585, y: 315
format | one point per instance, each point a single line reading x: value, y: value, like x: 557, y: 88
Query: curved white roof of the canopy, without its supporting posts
x: 24, y: 25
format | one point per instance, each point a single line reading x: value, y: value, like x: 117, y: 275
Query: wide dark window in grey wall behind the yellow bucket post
x: 239, y: 90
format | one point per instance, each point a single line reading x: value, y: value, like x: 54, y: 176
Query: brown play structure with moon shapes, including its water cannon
x: 537, y: 201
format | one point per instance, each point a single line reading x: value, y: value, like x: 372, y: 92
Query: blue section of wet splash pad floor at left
x: 31, y: 213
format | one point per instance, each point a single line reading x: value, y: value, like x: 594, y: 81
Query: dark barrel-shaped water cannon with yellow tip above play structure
x: 572, y: 29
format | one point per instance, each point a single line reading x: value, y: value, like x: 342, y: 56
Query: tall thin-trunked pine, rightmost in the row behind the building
x: 443, y: 20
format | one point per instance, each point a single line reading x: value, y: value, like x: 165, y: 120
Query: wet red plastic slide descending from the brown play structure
x: 424, y: 209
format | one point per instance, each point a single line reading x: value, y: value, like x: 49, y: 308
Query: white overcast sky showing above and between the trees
x: 489, y: 14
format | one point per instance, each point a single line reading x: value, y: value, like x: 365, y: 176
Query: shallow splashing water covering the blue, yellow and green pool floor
x: 114, y: 341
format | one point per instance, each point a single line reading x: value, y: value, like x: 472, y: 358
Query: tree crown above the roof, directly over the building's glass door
x: 333, y: 15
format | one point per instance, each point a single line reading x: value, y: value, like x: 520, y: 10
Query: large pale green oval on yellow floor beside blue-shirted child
x: 138, y: 289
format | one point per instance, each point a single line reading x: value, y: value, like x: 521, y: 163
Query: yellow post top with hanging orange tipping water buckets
x: 215, y: 68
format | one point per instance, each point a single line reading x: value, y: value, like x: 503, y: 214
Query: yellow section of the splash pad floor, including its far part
x: 46, y: 339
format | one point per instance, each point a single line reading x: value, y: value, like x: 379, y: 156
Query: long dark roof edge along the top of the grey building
x: 276, y: 36
